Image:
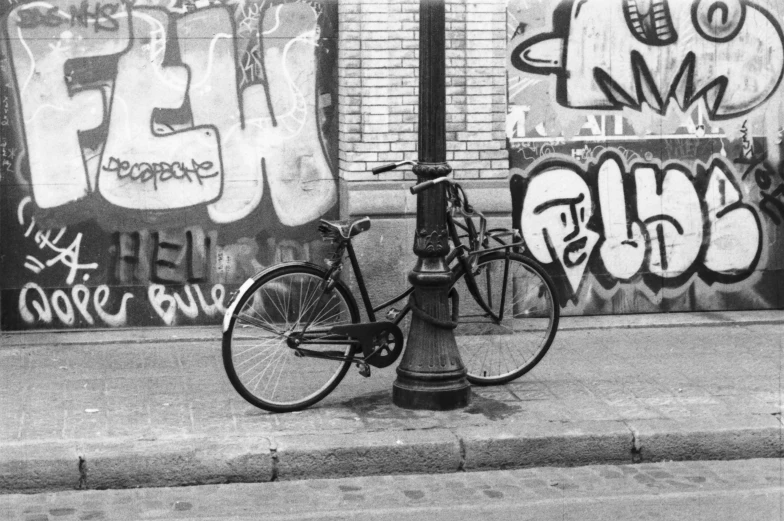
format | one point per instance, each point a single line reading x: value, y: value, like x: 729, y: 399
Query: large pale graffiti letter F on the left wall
x: 53, y: 115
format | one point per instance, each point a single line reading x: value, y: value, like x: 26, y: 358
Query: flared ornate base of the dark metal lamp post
x: 431, y: 375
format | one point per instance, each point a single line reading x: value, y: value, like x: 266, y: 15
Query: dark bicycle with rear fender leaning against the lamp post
x: 301, y: 328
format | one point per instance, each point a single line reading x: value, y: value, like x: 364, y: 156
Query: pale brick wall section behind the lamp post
x: 378, y: 81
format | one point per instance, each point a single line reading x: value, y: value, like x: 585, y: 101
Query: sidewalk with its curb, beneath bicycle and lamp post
x: 129, y: 408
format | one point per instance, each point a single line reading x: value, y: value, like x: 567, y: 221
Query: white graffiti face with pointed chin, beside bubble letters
x: 555, y: 215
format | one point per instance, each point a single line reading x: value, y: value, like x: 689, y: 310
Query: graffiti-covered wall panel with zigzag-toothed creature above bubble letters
x: 645, y: 142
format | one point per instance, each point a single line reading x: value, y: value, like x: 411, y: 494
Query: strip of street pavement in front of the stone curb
x: 736, y: 491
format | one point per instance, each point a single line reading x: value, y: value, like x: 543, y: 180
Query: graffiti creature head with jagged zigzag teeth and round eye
x: 611, y: 54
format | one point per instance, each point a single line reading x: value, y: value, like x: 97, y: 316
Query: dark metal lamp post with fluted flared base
x: 431, y: 374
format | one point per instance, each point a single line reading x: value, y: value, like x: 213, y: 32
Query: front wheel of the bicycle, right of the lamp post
x: 519, y: 291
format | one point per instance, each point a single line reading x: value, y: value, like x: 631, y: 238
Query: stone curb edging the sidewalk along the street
x: 53, y: 466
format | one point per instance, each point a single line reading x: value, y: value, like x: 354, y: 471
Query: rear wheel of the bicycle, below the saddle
x: 282, y: 299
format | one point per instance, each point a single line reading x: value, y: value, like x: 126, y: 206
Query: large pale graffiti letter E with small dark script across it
x: 132, y: 138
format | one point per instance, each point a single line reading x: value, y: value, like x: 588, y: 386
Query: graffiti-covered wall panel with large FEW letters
x: 155, y: 154
